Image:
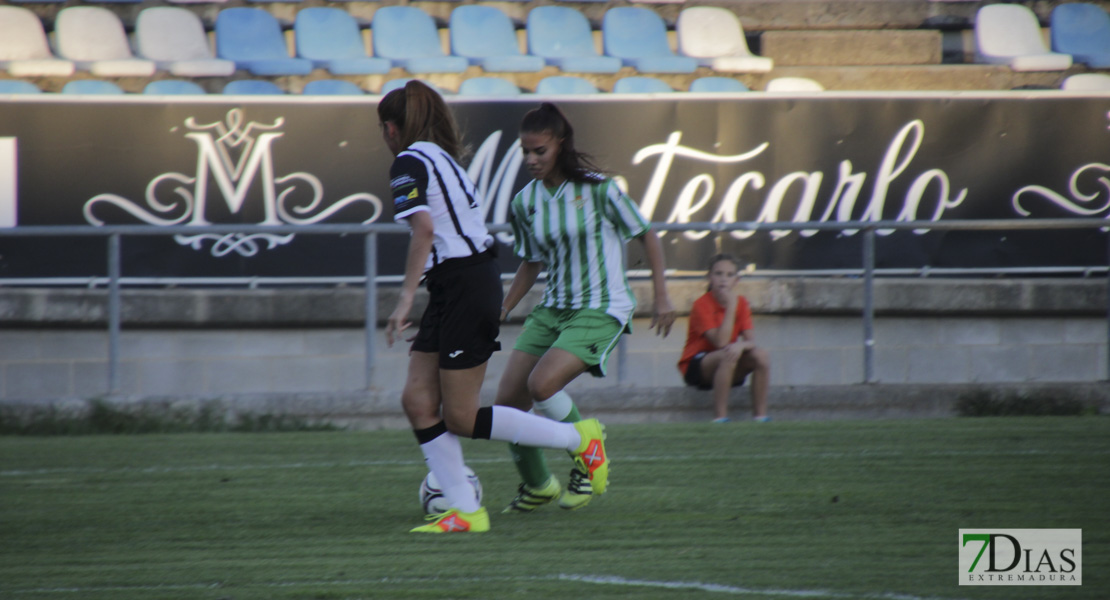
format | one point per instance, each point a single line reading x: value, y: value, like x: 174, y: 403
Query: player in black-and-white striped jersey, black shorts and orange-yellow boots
x: 451, y: 248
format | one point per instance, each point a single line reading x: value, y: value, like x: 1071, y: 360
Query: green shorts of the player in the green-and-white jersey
x: 587, y: 333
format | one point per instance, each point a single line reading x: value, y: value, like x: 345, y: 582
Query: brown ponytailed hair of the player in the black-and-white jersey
x: 422, y: 116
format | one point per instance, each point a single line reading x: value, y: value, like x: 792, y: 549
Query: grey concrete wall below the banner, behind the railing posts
x: 54, y: 343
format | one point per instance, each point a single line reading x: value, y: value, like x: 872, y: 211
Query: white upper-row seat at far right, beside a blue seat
x: 1012, y: 35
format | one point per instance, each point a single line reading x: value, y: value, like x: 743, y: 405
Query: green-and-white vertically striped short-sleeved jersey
x: 579, y: 231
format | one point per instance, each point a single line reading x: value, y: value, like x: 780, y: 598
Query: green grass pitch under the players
x: 839, y: 510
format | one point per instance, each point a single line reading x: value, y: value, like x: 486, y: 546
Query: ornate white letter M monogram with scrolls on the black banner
x: 217, y: 144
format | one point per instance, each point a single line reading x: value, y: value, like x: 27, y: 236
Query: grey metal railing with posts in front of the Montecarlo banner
x: 371, y: 232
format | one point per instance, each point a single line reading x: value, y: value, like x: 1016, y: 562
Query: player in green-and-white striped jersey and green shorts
x: 574, y: 222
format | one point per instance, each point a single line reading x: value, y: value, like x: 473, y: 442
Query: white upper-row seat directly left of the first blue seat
x: 175, y: 39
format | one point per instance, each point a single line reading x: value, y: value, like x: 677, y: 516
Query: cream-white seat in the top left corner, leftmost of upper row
x: 24, y: 47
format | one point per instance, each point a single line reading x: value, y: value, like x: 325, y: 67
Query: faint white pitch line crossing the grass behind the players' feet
x: 408, y: 463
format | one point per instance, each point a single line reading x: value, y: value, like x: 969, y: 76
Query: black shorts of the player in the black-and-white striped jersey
x: 463, y: 316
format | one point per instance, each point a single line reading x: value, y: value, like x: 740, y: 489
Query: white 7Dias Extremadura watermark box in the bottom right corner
x: 1022, y: 557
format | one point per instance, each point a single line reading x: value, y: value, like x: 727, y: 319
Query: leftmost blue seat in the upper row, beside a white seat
x: 253, y: 38
